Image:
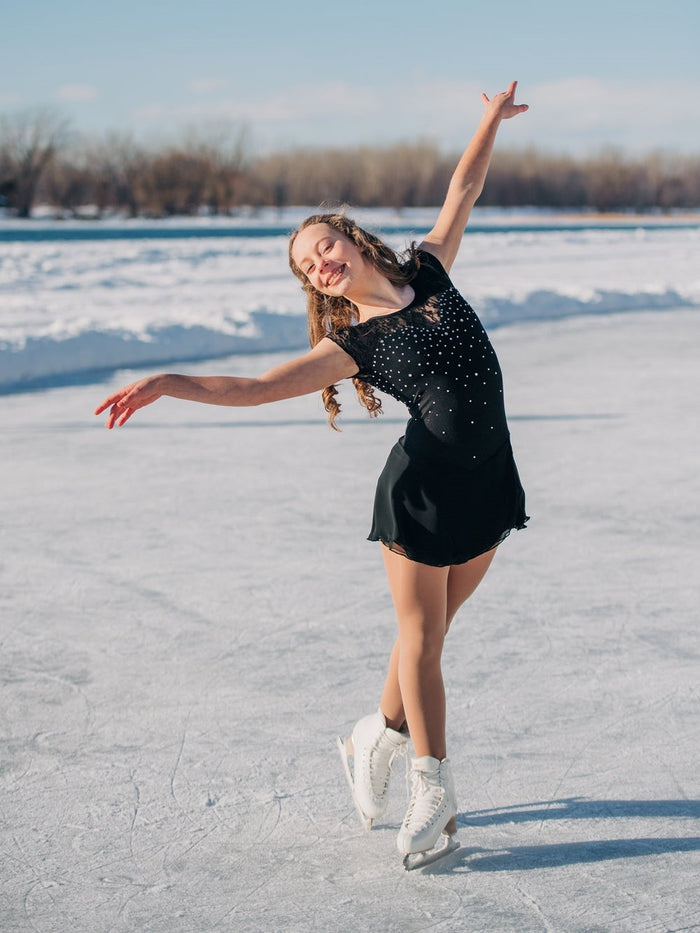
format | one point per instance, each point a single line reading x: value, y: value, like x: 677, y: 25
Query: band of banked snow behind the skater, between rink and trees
x: 68, y: 308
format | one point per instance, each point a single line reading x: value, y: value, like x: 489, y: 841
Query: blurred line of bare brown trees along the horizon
x: 217, y: 174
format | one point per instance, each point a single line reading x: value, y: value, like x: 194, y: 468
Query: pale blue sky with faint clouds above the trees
x: 327, y: 72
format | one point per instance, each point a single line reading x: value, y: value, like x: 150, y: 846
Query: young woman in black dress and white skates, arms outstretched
x: 449, y: 493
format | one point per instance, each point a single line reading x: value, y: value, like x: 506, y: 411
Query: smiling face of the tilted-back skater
x: 329, y: 260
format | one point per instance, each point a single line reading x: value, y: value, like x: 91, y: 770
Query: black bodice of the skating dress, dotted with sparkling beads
x: 436, y: 358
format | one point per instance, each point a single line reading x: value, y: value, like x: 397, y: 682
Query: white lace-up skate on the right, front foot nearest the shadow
x: 431, y: 813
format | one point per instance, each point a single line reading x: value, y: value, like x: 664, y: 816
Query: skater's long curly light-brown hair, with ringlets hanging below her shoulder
x: 327, y: 314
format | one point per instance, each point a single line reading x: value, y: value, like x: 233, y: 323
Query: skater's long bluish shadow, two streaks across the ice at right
x: 530, y: 857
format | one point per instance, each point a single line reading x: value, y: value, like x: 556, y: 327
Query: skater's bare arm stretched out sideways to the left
x: 325, y: 365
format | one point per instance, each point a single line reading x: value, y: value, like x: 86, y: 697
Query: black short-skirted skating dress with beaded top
x: 450, y: 489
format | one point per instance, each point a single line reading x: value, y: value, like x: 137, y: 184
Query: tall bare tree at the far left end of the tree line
x: 28, y: 142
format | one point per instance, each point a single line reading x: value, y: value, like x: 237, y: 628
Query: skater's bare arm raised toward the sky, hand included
x: 468, y: 178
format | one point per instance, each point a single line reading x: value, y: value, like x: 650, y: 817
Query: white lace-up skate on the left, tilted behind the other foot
x: 373, y: 747
